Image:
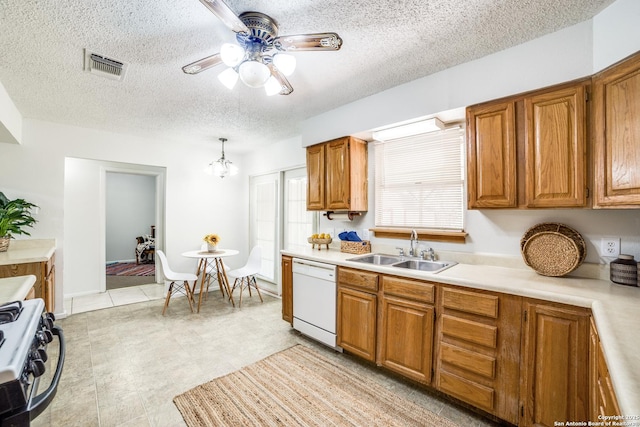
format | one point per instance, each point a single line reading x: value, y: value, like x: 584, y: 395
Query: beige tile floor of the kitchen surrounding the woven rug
x: 124, y: 364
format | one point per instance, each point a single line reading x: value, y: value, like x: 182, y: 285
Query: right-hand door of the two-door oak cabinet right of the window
x: 555, y: 147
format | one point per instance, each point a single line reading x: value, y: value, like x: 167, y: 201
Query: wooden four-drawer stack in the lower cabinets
x: 477, y: 357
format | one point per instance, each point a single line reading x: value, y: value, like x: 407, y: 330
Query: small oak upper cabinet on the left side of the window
x: 337, y: 175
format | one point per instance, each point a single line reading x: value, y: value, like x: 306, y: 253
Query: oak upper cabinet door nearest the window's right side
x: 491, y: 156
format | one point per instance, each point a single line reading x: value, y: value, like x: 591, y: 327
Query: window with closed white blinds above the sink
x: 419, y: 181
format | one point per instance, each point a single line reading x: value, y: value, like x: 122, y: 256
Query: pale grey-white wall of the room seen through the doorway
x: 130, y: 212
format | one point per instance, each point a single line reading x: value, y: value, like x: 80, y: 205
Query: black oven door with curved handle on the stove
x: 38, y: 402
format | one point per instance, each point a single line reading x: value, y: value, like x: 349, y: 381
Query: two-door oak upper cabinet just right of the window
x: 529, y: 151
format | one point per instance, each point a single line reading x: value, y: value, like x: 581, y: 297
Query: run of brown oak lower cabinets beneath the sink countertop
x: 525, y: 361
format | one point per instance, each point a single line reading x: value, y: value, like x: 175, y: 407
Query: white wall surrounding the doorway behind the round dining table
x: 196, y: 203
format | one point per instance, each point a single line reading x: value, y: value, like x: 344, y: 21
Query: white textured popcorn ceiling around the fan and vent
x: 386, y: 43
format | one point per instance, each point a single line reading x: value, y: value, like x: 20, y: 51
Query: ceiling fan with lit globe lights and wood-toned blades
x: 259, y: 59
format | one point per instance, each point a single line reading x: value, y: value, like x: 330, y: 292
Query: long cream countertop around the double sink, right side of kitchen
x: 615, y: 308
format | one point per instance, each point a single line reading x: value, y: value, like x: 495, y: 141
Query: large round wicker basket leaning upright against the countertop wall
x: 553, y: 249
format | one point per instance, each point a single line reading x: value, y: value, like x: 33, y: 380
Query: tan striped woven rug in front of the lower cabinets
x: 299, y: 387
